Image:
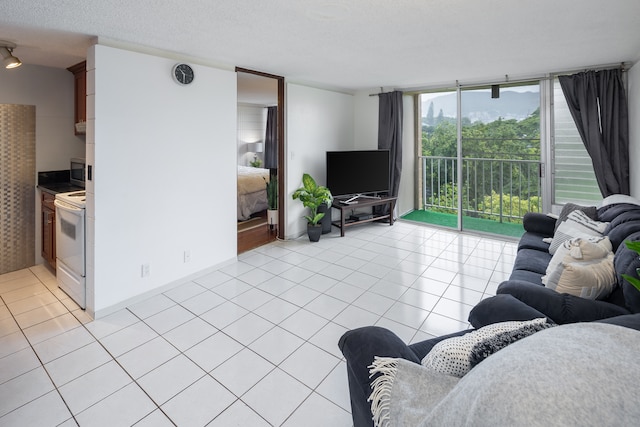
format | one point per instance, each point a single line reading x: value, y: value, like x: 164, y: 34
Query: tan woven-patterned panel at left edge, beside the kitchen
x: 17, y: 194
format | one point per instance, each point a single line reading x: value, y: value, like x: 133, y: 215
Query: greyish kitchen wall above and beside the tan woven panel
x: 51, y: 91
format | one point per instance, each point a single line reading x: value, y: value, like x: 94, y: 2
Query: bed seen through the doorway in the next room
x: 252, y: 191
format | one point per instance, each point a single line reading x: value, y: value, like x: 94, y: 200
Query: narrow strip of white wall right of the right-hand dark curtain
x: 633, y: 80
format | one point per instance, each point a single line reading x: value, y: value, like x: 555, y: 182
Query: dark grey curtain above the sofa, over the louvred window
x: 598, y: 104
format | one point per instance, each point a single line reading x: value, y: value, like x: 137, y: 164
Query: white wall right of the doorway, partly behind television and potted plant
x: 317, y: 121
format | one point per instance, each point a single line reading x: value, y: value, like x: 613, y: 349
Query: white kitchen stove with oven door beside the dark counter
x: 70, y: 245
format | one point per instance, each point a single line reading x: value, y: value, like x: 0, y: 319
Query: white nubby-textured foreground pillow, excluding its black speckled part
x: 453, y: 355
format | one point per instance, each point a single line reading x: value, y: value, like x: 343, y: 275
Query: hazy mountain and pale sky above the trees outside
x: 479, y: 106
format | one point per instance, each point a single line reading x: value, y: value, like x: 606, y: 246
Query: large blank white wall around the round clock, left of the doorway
x: 164, y: 159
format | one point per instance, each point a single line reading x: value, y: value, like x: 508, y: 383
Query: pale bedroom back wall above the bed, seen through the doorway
x: 252, y: 123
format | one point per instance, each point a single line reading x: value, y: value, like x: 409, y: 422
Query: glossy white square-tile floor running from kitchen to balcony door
x: 252, y: 344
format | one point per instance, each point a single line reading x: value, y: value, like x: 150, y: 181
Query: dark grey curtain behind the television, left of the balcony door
x: 390, y: 134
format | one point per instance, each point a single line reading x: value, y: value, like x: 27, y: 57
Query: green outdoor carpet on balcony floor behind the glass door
x: 468, y: 223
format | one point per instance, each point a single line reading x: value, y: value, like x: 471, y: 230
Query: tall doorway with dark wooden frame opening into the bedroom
x: 260, y: 146
